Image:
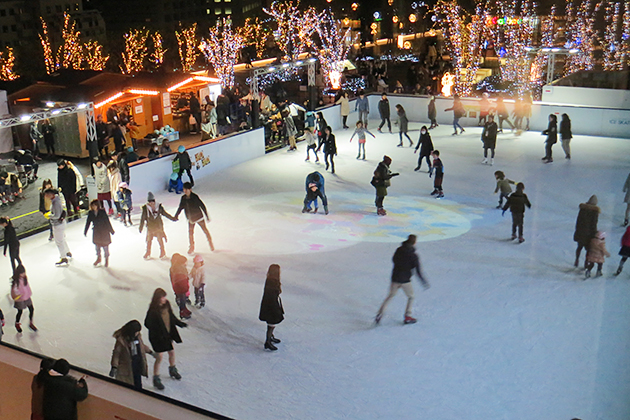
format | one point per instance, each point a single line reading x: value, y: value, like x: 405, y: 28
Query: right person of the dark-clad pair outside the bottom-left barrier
x: 62, y: 392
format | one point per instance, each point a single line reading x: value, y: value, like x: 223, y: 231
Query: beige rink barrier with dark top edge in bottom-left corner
x: 108, y: 399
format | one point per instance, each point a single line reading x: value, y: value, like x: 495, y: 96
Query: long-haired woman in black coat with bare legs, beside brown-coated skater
x: 162, y: 323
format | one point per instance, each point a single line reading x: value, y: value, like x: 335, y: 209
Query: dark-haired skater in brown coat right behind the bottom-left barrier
x: 129, y: 357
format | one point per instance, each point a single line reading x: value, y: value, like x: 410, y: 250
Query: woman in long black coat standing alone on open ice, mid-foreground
x: 271, y: 310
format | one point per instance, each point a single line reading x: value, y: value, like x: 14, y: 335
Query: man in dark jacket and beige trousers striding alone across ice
x: 405, y: 262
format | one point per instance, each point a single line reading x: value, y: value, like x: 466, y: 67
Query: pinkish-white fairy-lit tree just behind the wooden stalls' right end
x: 221, y: 49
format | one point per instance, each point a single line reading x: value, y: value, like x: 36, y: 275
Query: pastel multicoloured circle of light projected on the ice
x: 286, y: 230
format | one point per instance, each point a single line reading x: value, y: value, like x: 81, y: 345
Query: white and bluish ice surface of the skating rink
x: 506, y: 331
